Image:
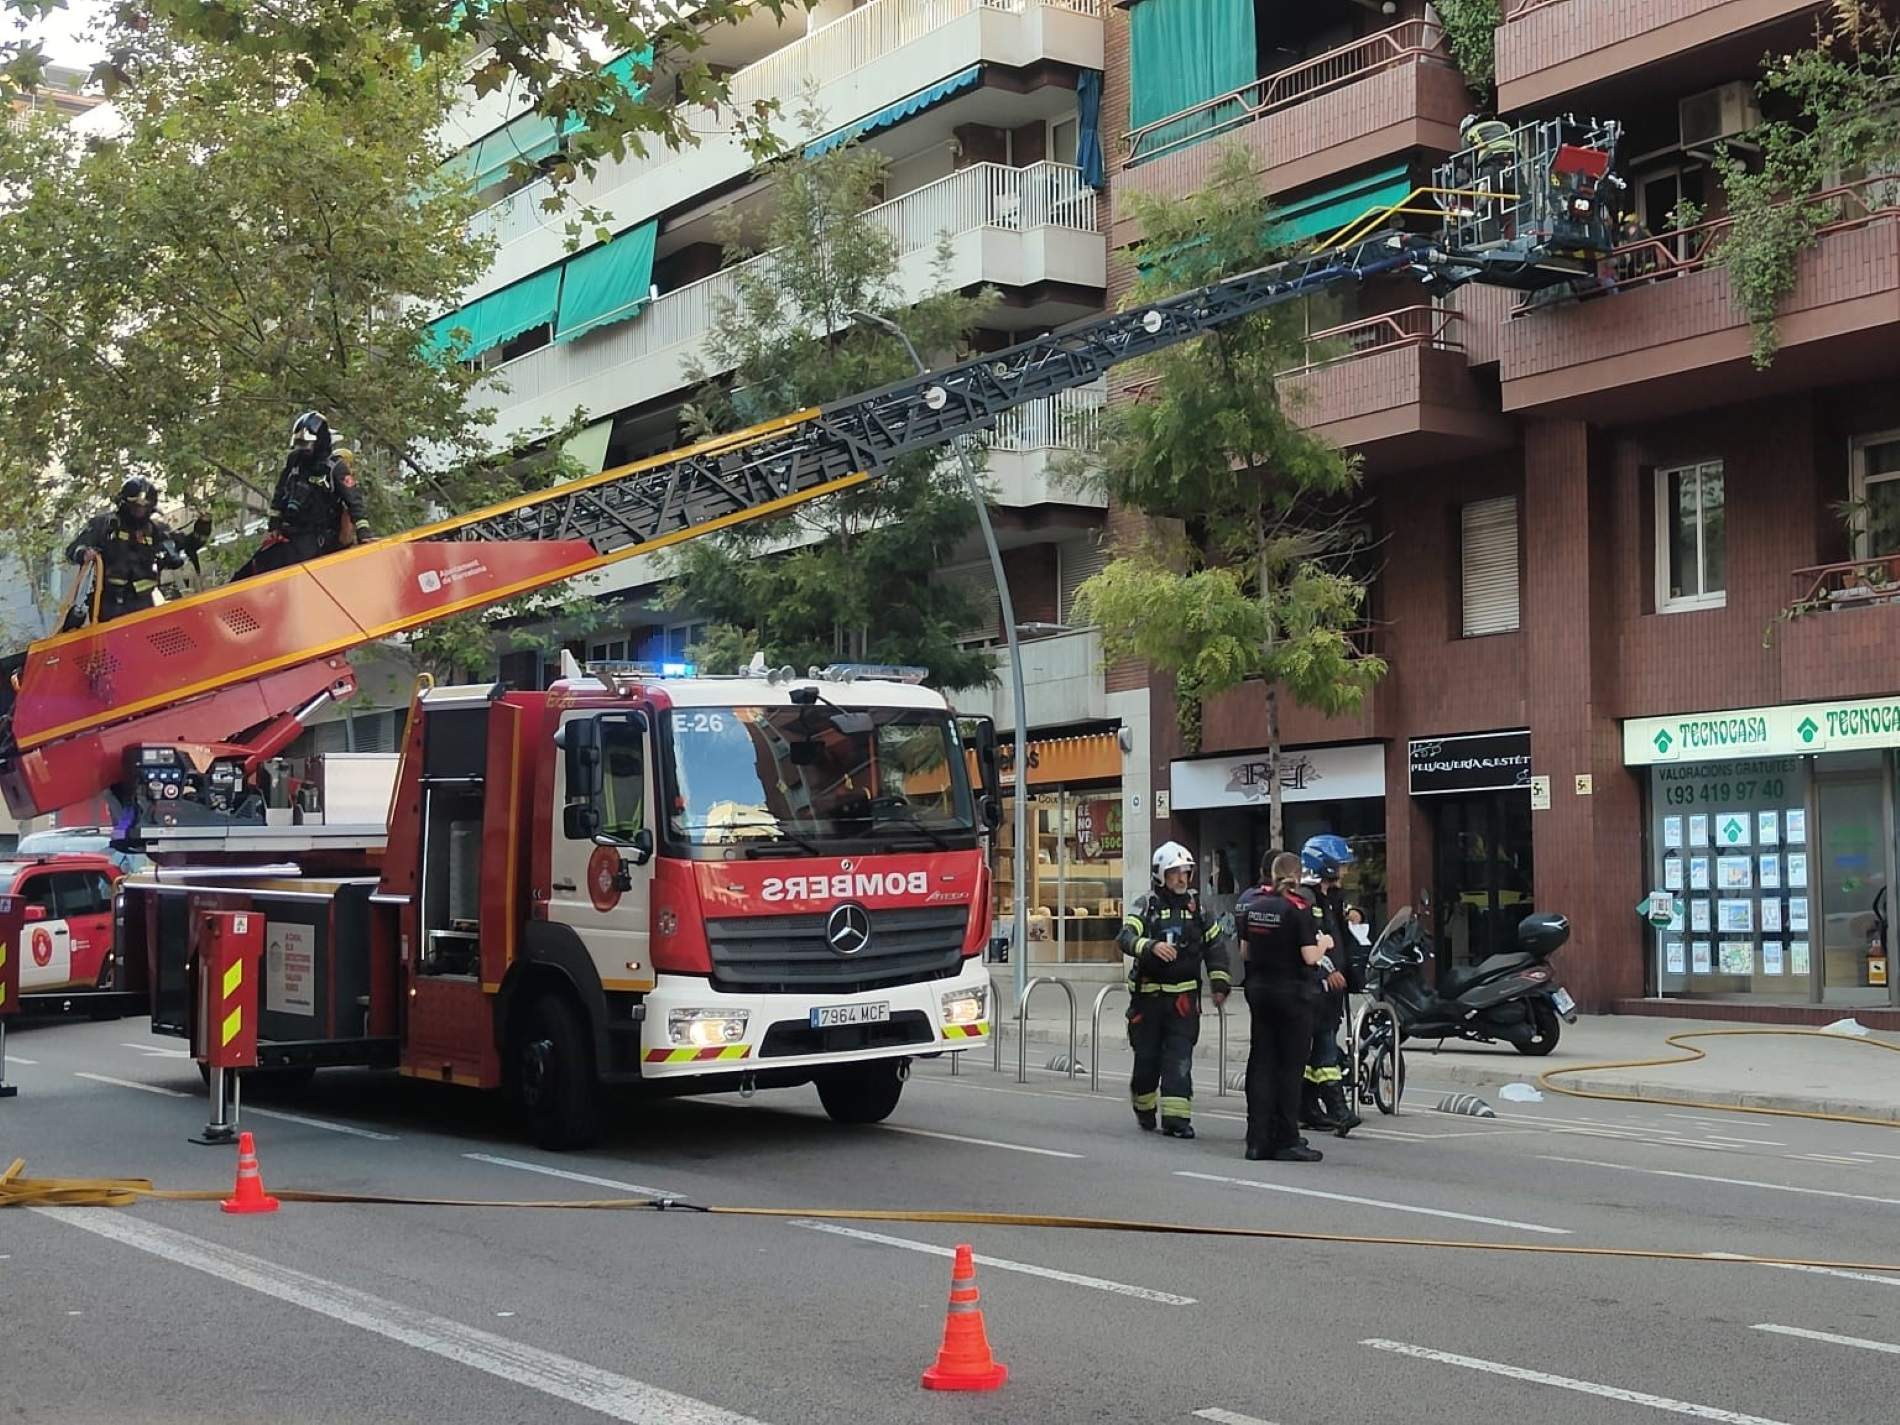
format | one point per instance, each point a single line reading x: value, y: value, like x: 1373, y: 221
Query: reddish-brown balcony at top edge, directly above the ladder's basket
x: 1549, y: 50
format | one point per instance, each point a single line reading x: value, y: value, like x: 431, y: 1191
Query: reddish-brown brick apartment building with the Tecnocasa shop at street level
x: 1633, y: 643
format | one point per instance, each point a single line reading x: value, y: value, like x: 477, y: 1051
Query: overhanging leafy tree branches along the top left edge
x: 539, y: 47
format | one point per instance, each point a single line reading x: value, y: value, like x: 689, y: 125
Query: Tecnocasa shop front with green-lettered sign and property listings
x: 1772, y: 850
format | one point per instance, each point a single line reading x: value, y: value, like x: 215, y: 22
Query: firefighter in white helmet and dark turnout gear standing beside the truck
x: 1171, y: 943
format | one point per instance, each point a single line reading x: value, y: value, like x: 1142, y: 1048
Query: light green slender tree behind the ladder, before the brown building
x: 1247, y: 573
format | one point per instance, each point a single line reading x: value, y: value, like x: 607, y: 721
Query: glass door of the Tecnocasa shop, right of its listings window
x: 1853, y: 888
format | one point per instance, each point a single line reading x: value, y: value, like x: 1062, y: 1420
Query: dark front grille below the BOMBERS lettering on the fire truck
x: 767, y: 955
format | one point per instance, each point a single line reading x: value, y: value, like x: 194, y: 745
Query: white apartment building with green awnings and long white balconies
x: 983, y: 109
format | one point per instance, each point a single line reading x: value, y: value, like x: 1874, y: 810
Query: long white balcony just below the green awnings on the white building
x: 1016, y: 229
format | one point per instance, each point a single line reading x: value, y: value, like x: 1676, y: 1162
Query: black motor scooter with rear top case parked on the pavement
x: 1510, y: 998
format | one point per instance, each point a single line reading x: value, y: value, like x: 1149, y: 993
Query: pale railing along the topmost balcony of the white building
x: 822, y: 58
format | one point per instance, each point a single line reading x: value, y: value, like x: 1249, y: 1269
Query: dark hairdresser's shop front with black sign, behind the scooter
x: 1477, y: 795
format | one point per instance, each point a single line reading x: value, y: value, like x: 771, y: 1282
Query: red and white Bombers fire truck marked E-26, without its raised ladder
x: 694, y: 884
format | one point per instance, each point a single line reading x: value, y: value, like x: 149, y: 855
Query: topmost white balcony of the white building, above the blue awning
x: 860, y: 64
